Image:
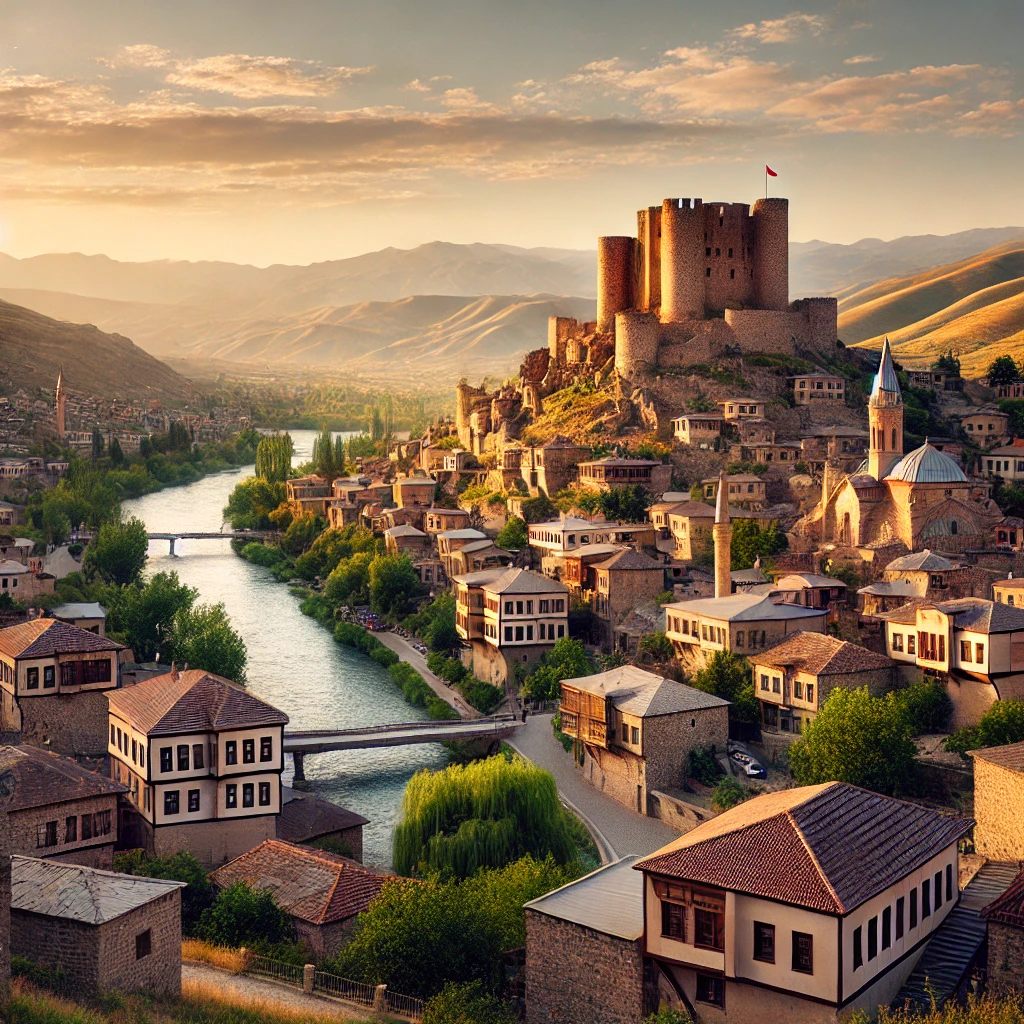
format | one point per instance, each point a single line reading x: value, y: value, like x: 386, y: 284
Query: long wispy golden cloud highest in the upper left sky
x: 261, y: 77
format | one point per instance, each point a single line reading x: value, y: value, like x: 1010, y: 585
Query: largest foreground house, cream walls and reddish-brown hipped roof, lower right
x: 806, y: 905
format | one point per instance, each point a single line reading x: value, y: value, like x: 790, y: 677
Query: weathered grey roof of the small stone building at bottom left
x: 76, y: 893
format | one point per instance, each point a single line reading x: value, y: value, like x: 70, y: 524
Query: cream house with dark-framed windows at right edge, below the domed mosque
x: 976, y: 648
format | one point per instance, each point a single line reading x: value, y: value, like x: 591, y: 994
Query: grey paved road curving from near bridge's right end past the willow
x: 624, y: 832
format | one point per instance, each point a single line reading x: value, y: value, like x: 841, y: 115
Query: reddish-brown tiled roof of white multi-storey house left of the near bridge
x: 195, y: 702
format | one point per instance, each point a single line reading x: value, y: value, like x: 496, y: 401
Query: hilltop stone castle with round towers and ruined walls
x: 701, y: 281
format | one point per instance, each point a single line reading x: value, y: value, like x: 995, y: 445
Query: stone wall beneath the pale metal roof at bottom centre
x: 575, y: 974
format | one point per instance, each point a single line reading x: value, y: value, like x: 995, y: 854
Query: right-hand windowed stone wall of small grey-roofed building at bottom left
x: 159, y: 972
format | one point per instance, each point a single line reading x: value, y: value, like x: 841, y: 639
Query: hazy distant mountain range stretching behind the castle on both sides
x: 446, y: 308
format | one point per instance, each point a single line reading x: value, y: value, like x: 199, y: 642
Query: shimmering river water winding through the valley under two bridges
x: 294, y: 663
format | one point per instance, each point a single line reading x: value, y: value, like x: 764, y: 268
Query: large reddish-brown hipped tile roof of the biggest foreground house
x: 827, y: 847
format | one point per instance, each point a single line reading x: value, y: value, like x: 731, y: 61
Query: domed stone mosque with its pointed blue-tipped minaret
x: 922, y: 499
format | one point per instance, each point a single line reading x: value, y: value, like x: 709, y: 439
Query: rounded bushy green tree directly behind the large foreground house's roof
x: 857, y: 739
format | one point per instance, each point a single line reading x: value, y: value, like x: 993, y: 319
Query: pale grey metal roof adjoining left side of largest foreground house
x: 609, y: 901
